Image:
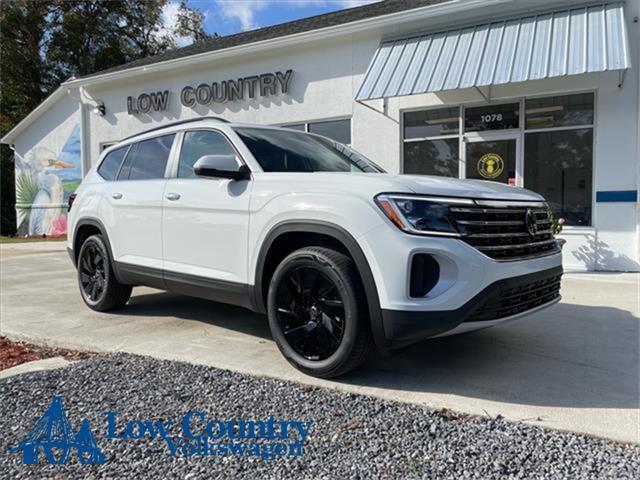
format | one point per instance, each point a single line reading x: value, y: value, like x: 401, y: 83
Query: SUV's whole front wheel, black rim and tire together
x: 317, y: 312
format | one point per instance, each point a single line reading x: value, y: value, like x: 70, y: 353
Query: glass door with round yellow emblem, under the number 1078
x: 493, y: 158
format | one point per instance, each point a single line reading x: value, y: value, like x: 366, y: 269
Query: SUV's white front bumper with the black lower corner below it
x: 467, y: 279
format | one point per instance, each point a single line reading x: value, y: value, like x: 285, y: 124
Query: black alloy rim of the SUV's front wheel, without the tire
x: 311, y: 313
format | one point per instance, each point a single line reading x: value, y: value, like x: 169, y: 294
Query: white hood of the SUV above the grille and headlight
x: 431, y: 185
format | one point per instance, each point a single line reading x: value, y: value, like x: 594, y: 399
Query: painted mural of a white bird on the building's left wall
x: 44, y: 181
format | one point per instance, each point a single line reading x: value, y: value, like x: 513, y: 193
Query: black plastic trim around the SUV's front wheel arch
x: 343, y: 238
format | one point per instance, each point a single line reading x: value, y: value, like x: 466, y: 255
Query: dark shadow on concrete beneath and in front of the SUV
x: 567, y: 356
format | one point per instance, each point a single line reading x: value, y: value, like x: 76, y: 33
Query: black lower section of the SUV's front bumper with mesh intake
x: 504, y: 299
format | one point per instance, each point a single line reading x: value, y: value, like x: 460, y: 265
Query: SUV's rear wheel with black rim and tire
x: 99, y: 287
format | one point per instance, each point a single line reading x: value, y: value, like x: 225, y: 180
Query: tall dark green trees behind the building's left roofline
x: 44, y: 42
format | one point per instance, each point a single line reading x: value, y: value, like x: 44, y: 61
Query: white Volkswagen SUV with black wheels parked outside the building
x: 337, y: 253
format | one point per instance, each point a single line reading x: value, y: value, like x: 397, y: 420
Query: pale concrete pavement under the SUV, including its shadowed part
x: 574, y: 366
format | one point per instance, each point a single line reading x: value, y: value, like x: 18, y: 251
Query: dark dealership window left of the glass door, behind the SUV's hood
x: 431, y: 142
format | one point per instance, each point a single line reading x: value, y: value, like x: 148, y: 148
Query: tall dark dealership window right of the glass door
x: 558, y: 154
